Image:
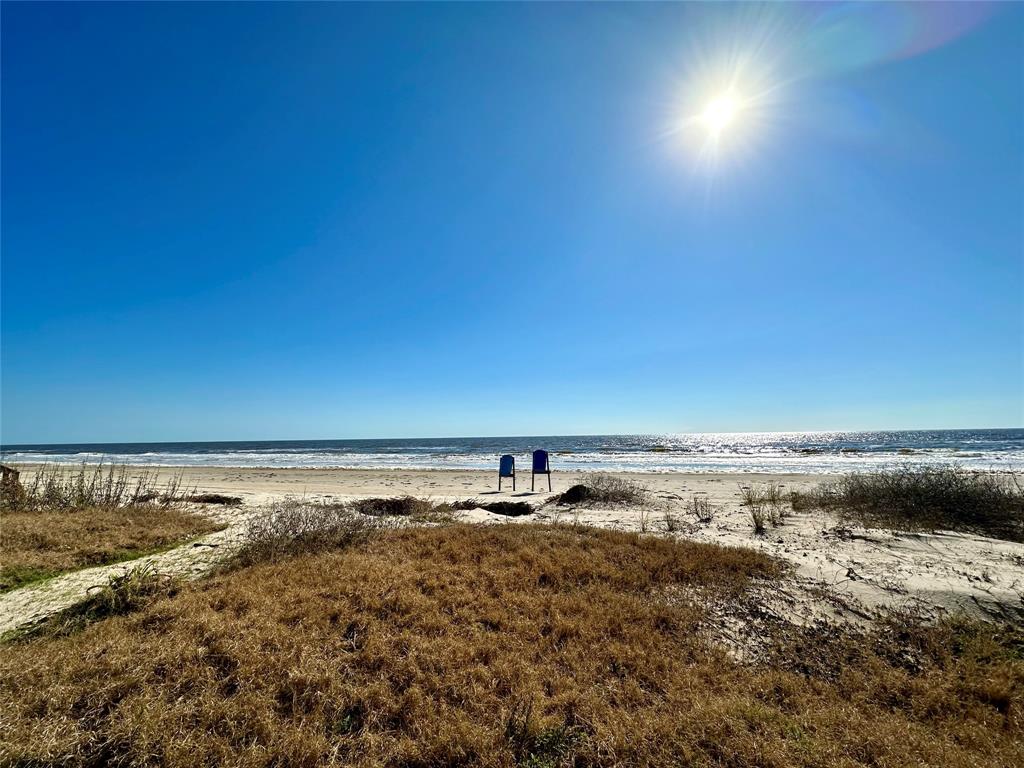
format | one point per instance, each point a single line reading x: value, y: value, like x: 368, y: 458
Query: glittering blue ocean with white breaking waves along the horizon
x: 810, y: 453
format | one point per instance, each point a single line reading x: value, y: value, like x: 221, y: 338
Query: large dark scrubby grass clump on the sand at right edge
x: 926, y: 499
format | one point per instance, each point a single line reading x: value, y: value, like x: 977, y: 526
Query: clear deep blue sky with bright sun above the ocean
x: 289, y: 222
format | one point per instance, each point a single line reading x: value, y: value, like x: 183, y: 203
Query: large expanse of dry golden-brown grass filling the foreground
x: 497, y: 647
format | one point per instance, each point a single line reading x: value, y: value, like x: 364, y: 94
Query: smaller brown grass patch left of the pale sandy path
x: 41, y: 543
